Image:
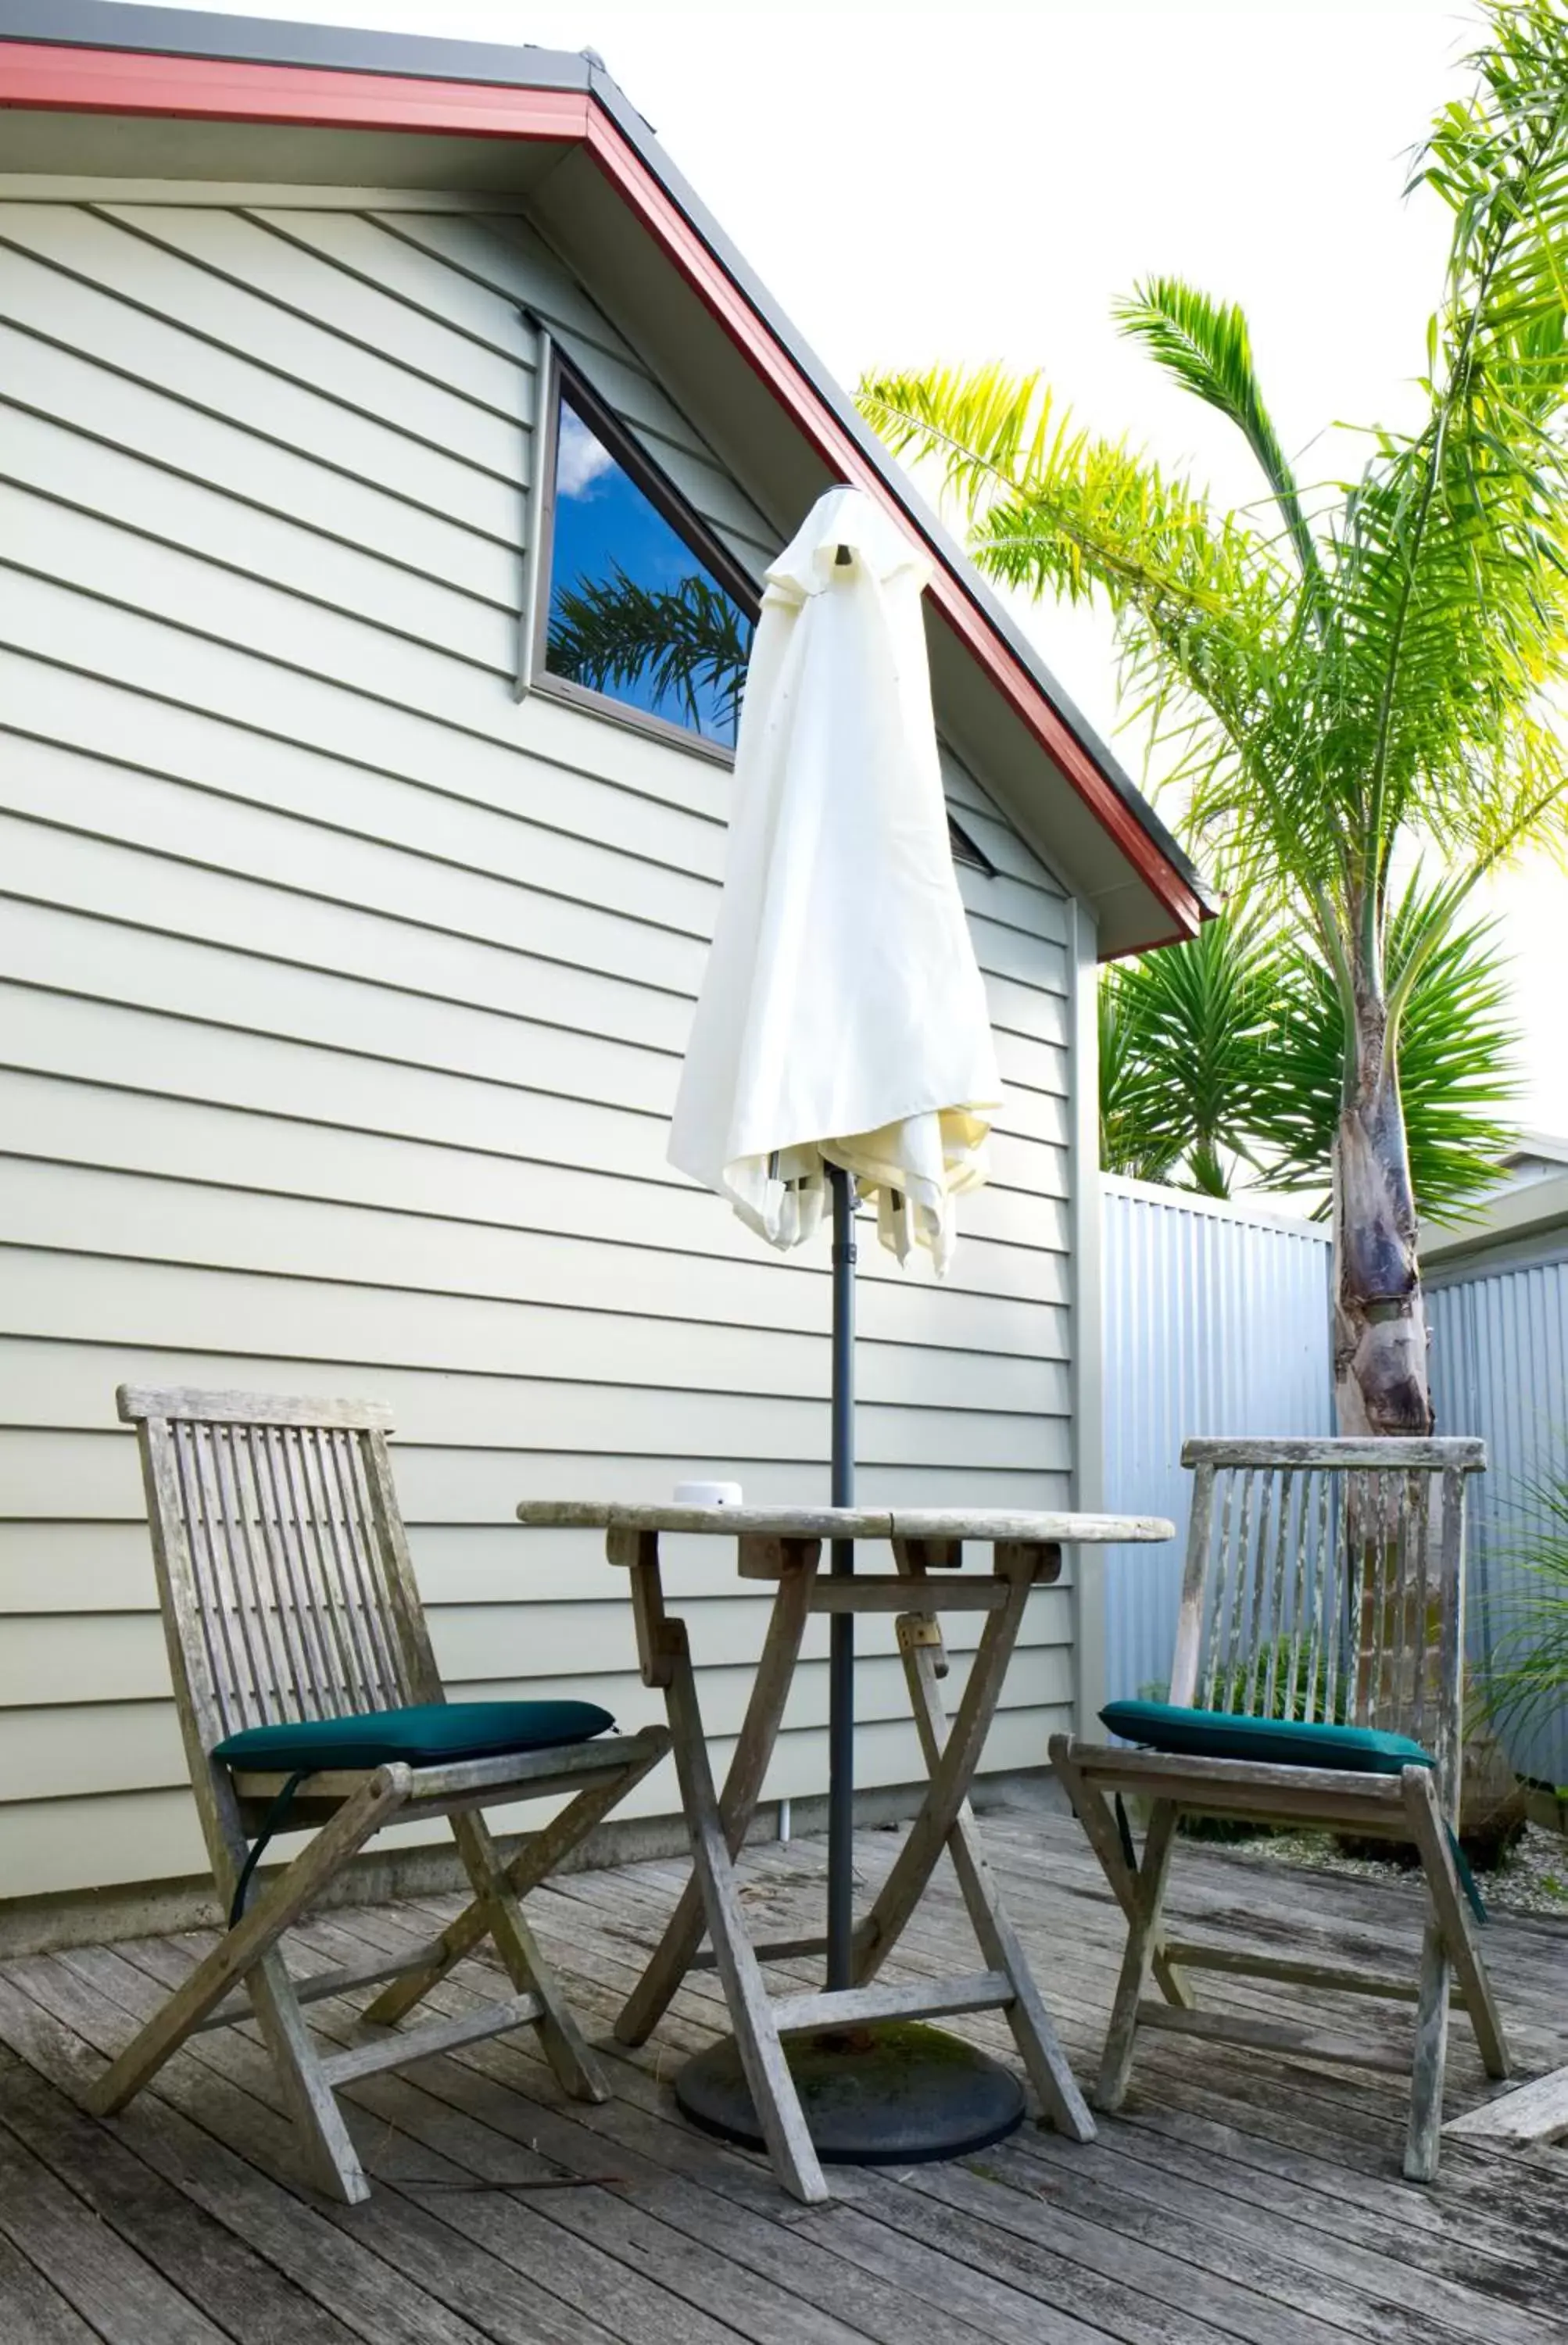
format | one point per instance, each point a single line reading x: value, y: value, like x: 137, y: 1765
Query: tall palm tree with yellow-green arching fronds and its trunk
x: 1358, y: 669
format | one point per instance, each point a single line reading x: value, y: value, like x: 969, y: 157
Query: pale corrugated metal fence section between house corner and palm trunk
x: 1218, y: 1321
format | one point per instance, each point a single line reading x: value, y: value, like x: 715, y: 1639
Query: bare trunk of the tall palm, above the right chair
x: 1382, y: 1380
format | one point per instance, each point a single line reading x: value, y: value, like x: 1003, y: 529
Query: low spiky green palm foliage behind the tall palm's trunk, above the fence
x: 1225, y: 1061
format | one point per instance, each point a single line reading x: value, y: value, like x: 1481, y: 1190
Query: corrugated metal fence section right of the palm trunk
x: 1501, y: 1371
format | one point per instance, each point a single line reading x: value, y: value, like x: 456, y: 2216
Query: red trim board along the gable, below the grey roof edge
x: 41, y: 76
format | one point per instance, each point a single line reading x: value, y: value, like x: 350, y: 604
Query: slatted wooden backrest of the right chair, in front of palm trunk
x: 1328, y: 1582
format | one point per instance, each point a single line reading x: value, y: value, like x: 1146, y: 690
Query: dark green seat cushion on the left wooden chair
x: 423, y: 1736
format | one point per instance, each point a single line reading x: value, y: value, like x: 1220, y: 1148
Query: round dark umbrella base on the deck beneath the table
x: 897, y: 2095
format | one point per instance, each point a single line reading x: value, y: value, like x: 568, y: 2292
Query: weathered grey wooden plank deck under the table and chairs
x: 1236, y: 2198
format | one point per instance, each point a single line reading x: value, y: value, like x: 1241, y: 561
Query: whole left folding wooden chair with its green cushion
x: 308, y: 1694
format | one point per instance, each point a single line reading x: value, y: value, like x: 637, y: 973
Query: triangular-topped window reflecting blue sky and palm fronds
x: 641, y: 606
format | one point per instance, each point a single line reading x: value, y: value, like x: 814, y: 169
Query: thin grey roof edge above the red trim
x: 114, y: 25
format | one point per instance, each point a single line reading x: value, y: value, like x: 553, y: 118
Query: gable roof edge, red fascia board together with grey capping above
x: 578, y: 104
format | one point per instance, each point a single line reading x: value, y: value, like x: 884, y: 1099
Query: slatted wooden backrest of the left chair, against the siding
x: 282, y: 1563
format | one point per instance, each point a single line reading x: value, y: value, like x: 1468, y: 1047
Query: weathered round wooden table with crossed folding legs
x: 784, y: 1547
